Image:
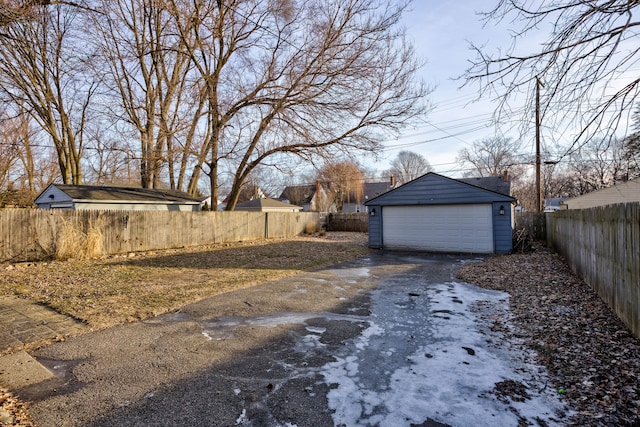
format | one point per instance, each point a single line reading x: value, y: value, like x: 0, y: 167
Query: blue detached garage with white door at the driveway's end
x: 440, y: 214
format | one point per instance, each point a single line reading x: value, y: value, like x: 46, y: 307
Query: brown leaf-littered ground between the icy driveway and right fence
x: 592, y: 358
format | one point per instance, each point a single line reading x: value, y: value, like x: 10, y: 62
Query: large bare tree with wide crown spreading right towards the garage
x: 307, y: 79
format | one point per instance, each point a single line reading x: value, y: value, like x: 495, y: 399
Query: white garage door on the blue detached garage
x: 450, y: 228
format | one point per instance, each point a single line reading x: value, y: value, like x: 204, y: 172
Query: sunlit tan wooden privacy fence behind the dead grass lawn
x: 35, y: 234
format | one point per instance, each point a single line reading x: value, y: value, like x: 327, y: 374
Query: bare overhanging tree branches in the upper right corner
x: 587, y: 64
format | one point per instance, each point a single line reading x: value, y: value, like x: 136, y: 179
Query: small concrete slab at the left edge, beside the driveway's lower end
x: 20, y: 370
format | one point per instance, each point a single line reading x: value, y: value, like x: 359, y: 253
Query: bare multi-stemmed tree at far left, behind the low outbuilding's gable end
x: 42, y: 70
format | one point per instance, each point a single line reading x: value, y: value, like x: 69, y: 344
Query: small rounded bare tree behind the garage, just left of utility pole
x: 492, y: 157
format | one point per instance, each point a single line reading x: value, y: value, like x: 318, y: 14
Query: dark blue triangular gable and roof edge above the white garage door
x: 434, y: 189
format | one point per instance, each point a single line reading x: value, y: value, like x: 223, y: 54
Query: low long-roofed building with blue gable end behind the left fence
x: 80, y: 197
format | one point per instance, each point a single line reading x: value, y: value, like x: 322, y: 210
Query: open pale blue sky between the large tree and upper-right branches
x: 441, y: 31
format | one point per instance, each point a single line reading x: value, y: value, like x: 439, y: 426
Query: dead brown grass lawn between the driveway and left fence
x: 108, y: 291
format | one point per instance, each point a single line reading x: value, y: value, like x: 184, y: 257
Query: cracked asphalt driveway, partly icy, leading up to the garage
x: 387, y: 340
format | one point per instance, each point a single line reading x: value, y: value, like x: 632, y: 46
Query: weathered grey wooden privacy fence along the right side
x: 602, y: 246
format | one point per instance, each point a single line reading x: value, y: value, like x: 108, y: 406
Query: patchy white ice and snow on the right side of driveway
x: 432, y: 354
